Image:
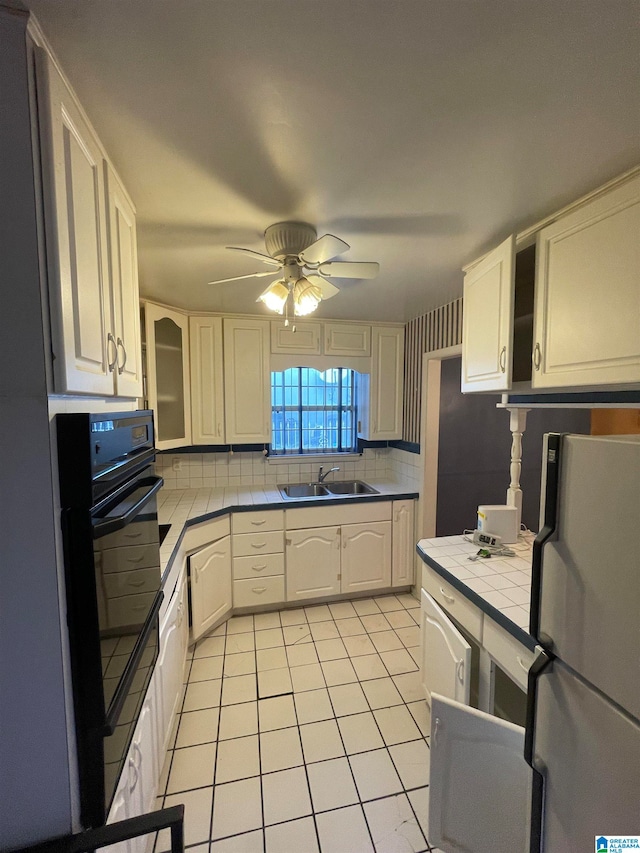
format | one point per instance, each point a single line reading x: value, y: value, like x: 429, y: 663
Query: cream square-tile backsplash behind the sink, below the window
x: 217, y: 470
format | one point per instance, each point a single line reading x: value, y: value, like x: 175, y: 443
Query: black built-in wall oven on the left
x: 108, y: 494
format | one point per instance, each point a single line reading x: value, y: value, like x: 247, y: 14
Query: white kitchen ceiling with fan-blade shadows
x: 422, y: 132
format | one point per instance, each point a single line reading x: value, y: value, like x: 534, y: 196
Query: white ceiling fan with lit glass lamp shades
x: 304, y: 267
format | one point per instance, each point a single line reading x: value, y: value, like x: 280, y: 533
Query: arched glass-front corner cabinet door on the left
x: 168, y: 385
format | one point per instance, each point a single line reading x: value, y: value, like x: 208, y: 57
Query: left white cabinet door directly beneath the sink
x: 313, y: 563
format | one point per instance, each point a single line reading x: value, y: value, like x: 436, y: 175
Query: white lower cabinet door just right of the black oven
x: 169, y: 672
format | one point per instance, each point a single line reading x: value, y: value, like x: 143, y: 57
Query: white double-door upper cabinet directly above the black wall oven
x: 91, y: 250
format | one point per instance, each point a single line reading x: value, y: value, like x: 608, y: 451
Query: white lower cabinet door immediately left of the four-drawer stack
x: 211, y: 595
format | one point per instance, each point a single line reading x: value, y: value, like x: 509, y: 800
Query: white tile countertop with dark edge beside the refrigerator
x: 499, y: 586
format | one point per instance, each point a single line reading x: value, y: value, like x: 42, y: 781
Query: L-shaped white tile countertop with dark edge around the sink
x: 182, y: 507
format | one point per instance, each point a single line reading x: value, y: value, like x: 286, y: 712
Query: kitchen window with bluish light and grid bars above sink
x: 313, y: 412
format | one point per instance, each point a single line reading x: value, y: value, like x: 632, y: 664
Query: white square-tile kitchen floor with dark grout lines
x: 304, y: 731
